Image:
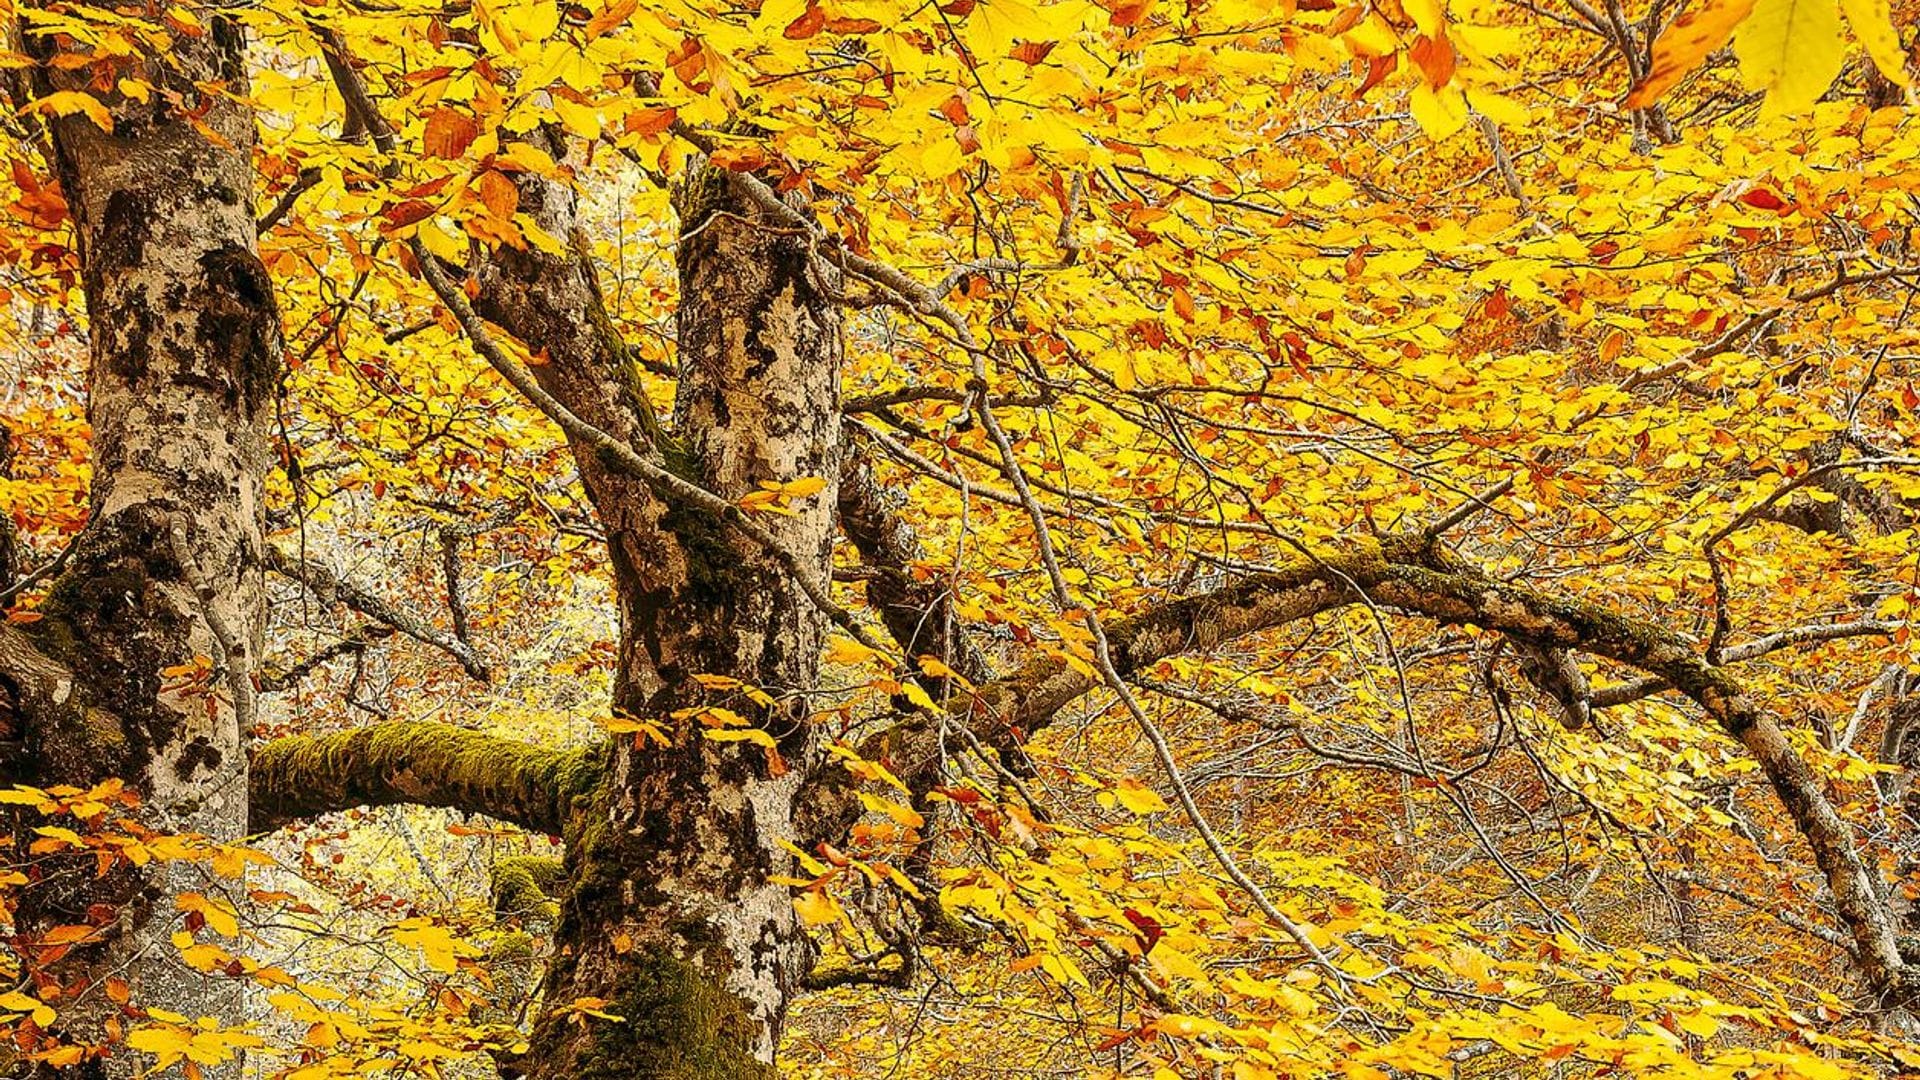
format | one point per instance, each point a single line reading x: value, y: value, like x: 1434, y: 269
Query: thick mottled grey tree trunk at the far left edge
x: 185, y: 362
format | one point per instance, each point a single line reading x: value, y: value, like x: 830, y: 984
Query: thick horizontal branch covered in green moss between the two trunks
x: 425, y: 764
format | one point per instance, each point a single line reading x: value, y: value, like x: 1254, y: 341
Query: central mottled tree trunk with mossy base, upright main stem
x: 673, y: 916
